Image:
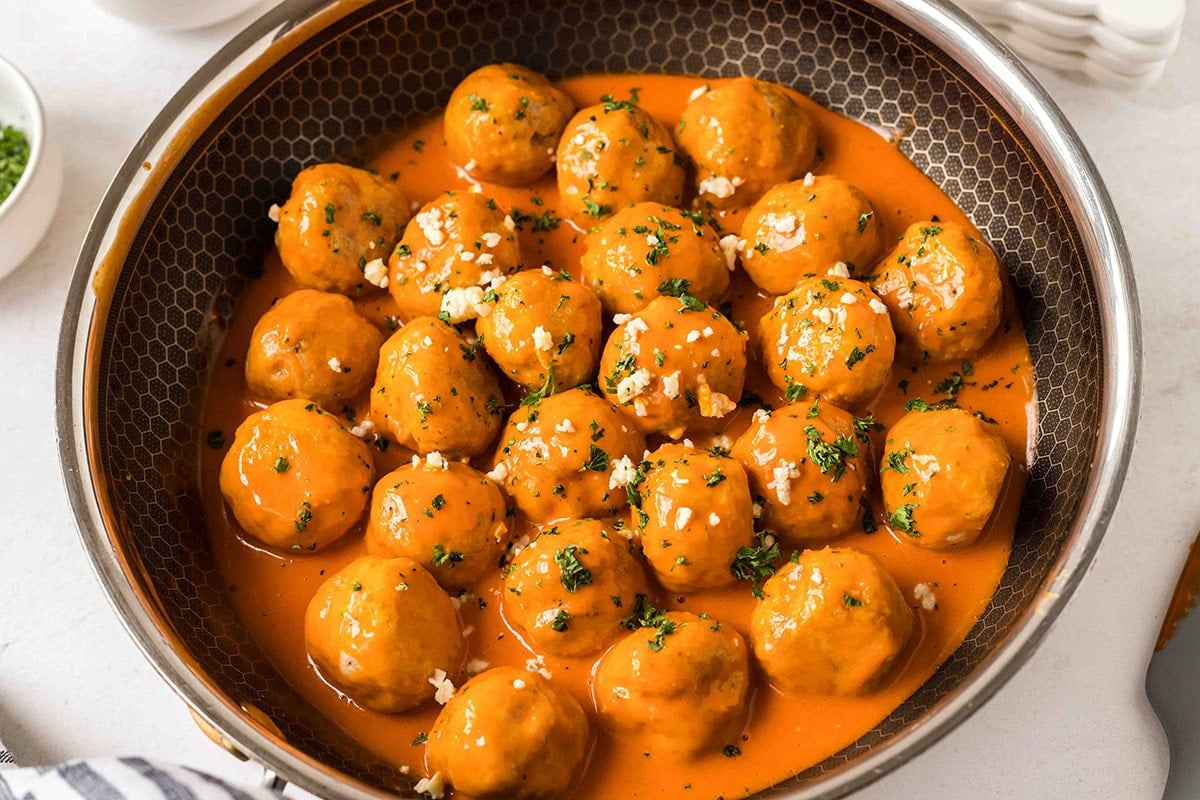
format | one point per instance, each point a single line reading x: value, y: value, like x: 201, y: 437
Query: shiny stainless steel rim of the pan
x: 980, y: 55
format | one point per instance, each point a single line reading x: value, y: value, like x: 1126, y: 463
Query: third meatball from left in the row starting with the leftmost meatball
x: 557, y: 456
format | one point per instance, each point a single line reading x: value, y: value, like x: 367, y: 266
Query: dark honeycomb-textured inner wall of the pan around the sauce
x: 386, y: 64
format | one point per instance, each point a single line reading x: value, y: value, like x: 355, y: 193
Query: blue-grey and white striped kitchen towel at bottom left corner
x: 117, y: 779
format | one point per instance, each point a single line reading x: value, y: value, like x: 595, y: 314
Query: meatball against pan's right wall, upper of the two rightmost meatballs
x: 944, y: 290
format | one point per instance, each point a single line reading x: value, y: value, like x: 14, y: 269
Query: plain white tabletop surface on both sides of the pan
x: 1073, y: 725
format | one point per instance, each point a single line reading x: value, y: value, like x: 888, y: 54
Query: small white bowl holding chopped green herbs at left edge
x: 27, y: 213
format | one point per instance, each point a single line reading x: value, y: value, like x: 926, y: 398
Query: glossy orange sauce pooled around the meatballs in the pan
x: 784, y: 735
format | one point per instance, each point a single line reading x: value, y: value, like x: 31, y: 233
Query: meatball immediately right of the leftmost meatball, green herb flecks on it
x: 447, y: 516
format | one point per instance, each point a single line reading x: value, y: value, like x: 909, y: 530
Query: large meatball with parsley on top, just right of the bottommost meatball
x: 679, y: 685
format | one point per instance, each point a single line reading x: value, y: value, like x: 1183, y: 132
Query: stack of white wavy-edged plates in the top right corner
x: 1118, y: 43
